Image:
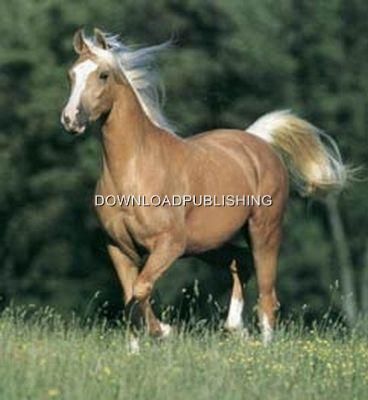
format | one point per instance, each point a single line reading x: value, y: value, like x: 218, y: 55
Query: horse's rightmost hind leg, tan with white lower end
x: 265, y: 239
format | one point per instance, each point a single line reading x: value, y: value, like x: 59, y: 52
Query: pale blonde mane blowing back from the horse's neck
x: 138, y: 67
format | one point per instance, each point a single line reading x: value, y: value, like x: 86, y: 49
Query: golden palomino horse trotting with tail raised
x: 143, y: 157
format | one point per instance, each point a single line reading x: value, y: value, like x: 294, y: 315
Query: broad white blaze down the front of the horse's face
x: 81, y: 71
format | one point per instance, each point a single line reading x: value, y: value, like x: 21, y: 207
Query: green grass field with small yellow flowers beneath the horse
x: 44, y: 357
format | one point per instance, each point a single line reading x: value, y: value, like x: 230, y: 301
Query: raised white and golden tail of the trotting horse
x: 312, y: 157
